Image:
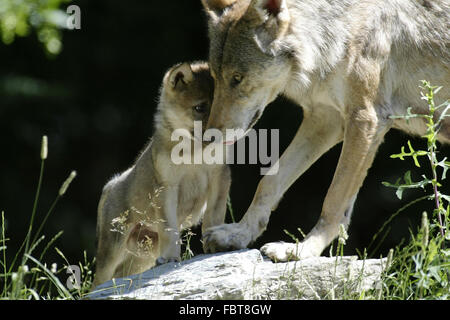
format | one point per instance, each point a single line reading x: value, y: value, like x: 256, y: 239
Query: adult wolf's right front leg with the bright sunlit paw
x: 364, y: 132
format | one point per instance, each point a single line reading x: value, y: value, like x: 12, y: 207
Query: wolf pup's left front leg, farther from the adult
x: 169, y: 235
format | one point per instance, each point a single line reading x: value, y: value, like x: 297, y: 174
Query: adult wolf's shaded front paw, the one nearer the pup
x: 226, y: 237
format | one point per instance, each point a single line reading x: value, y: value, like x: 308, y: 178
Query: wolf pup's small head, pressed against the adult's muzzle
x: 186, y: 96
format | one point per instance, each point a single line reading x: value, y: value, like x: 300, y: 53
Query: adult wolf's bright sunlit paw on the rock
x: 284, y: 252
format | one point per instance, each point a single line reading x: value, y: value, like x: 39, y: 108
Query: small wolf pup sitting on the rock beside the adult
x: 149, y: 204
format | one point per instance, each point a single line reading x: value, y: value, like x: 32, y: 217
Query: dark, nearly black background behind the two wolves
x: 96, y: 102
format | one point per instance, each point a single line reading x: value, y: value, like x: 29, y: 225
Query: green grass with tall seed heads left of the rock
x: 27, y: 277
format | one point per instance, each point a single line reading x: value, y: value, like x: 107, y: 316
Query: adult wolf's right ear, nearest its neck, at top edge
x: 271, y: 19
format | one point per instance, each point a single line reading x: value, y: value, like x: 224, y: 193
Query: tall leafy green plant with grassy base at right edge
x: 421, y: 269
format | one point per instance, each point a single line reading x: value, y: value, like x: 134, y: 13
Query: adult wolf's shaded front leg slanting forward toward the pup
x: 321, y: 129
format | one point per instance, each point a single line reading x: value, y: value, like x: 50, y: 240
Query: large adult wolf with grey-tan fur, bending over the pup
x: 350, y: 64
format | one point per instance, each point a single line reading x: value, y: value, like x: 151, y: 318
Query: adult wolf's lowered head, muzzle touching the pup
x: 248, y: 60
